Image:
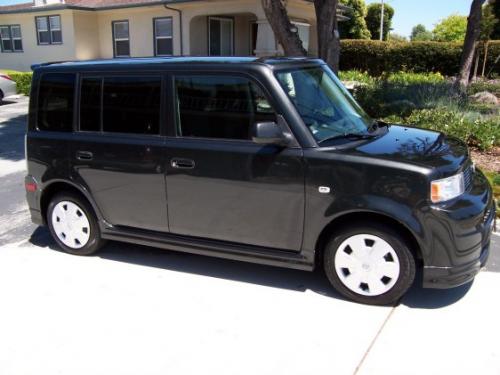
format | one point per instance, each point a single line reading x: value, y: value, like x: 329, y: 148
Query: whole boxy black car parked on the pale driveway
x: 269, y: 161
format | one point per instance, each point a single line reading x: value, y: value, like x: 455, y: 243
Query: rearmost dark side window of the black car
x: 55, y: 102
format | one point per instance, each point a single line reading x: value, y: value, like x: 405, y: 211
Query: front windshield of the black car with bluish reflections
x: 325, y: 105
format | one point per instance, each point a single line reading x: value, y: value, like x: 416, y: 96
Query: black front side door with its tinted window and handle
x: 221, y: 185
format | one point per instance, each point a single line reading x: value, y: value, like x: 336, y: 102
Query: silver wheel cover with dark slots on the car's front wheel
x: 367, y: 265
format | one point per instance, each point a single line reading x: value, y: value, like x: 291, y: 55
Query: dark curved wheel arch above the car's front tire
x: 366, y: 216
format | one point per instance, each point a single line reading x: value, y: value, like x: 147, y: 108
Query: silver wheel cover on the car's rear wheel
x: 71, y: 225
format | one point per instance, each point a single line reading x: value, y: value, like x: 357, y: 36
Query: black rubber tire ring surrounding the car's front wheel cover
x: 398, y: 244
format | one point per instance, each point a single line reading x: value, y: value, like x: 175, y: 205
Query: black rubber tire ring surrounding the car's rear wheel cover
x: 95, y: 242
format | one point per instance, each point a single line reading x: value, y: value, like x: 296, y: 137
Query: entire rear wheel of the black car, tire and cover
x: 73, y: 224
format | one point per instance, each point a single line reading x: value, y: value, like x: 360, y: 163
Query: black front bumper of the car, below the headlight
x: 461, y: 235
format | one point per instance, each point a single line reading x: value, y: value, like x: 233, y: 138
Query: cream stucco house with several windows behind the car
x: 61, y: 30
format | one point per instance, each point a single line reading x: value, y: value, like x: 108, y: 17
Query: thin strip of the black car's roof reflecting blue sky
x: 179, y: 61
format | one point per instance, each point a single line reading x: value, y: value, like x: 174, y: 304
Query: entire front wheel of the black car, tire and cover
x: 369, y: 264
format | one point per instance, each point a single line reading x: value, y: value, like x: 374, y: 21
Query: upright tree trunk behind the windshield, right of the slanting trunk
x: 328, y: 34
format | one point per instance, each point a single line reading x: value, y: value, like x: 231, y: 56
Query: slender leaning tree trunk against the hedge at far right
x: 473, y: 31
